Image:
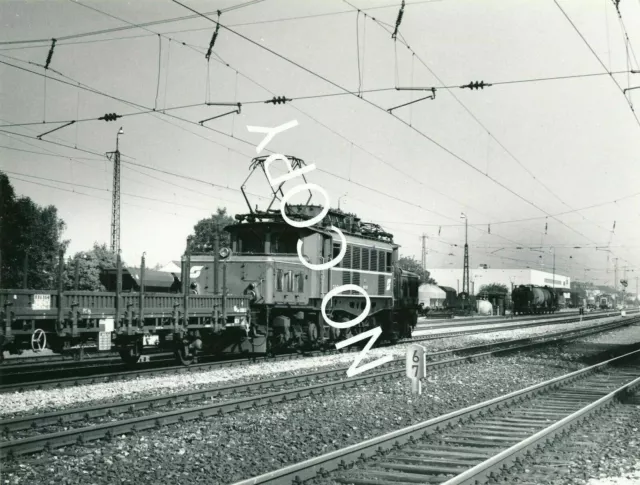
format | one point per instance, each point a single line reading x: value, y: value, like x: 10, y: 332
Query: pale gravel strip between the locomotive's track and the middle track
x: 56, y: 399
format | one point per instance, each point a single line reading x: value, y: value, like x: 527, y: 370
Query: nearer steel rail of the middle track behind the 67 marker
x: 108, y: 430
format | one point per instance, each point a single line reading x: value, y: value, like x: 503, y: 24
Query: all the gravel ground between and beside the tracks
x: 247, y: 440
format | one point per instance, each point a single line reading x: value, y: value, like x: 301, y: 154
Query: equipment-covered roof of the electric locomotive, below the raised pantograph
x: 349, y: 224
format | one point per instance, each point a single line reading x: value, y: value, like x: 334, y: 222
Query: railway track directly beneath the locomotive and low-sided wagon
x: 19, y: 378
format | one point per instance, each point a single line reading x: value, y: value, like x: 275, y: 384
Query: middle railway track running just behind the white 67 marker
x: 96, y: 422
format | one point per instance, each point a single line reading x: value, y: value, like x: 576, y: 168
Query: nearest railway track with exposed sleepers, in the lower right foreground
x: 473, y: 445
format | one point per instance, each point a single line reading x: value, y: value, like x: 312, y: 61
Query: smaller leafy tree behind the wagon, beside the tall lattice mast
x: 91, y: 264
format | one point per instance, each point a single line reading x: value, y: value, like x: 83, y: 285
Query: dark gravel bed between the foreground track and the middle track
x: 246, y: 443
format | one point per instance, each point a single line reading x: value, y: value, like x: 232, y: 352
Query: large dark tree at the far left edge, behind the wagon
x: 30, y: 239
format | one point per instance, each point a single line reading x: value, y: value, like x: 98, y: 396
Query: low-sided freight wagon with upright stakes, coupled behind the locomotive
x: 130, y: 323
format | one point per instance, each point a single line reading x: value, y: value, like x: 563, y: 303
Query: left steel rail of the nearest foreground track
x: 321, y: 466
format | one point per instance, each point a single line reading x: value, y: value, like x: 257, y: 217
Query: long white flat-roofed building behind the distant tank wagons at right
x: 509, y: 277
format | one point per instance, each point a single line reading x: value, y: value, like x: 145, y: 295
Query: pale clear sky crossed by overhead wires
x: 542, y: 164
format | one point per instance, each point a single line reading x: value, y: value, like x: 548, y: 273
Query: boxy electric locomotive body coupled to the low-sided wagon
x: 285, y: 296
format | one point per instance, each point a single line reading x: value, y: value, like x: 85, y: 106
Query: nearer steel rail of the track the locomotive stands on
x: 119, y: 376
